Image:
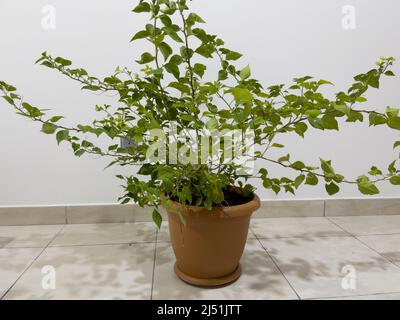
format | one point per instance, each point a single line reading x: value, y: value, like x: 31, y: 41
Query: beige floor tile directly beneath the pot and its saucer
x: 260, y: 279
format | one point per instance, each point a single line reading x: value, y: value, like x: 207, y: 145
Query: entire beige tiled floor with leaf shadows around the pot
x: 285, y: 258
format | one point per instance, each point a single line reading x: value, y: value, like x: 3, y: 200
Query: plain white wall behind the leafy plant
x: 280, y: 39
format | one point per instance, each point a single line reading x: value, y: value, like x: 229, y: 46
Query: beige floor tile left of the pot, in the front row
x: 90, y: 272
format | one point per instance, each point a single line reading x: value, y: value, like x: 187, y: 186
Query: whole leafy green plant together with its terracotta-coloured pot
x: 172, y: 111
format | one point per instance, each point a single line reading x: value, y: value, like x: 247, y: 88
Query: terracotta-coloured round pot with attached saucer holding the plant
x: 208, y: 249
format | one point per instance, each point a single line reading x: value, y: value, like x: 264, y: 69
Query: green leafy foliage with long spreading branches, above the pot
x: 172, y: 83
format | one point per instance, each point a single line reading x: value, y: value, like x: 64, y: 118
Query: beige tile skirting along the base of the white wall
x: 116, y: 213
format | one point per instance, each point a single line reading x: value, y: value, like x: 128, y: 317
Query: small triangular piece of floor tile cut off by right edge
x: 386, y: 245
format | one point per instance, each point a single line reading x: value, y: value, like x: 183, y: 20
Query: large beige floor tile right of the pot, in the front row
x: 319, y: 267
